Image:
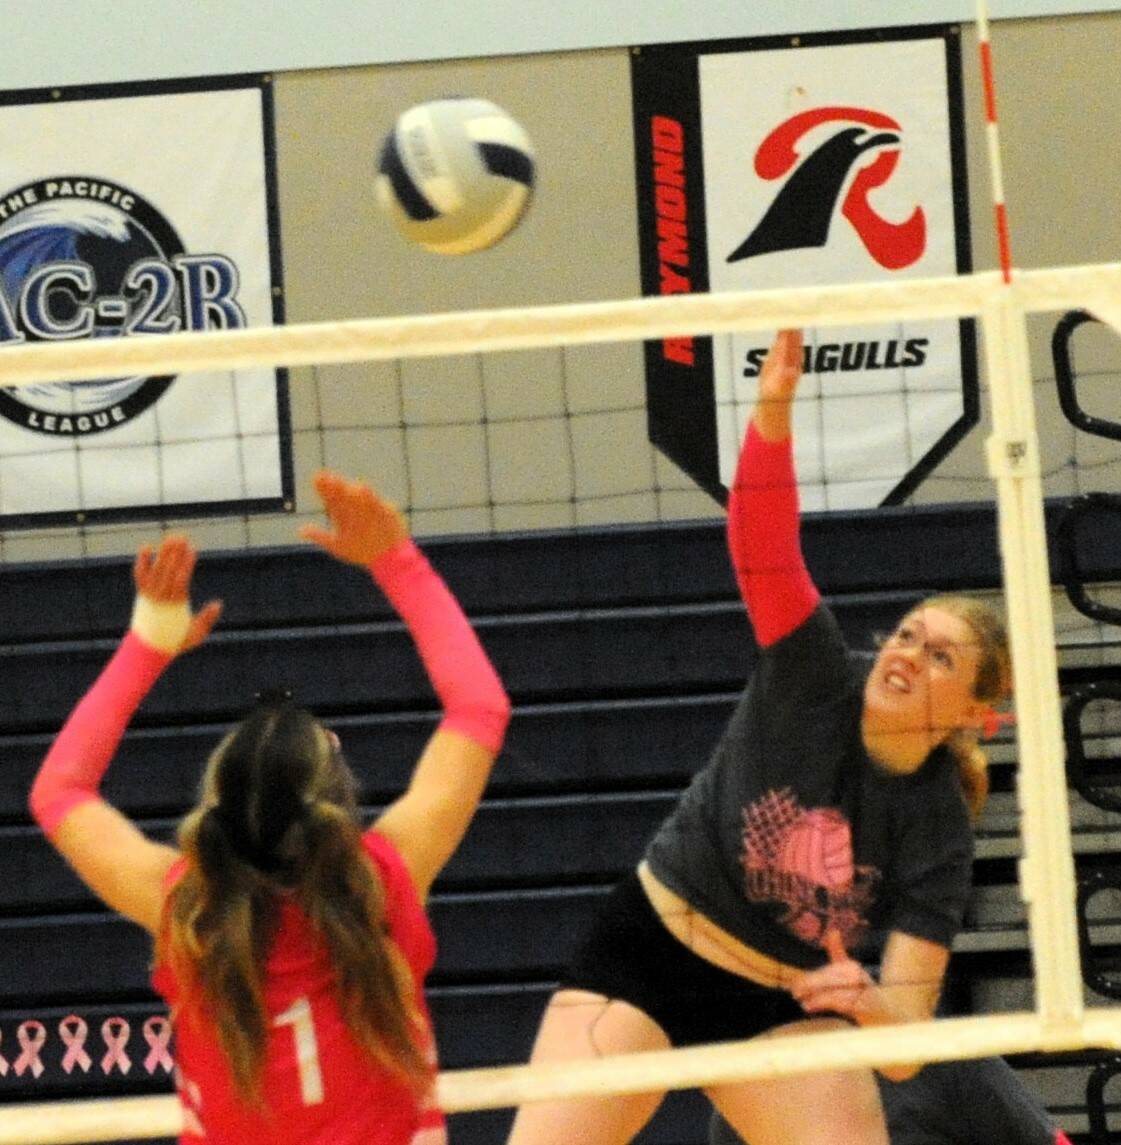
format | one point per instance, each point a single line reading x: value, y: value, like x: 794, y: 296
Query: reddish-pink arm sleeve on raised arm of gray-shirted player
x: 763, y: 539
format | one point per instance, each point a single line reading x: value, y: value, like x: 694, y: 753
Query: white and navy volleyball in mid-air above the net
x: 456, y: 176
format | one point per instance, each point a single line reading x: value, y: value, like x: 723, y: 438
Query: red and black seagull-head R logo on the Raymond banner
x: 803, y: 212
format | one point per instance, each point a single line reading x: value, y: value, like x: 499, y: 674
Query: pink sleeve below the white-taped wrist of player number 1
x: 77, y: 761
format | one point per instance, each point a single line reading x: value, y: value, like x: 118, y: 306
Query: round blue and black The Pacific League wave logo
x: 88, y: 258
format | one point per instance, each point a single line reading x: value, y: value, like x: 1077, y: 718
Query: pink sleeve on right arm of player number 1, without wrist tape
x: 472, y: 696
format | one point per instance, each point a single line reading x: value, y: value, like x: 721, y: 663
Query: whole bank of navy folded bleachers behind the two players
x: 623, y: 652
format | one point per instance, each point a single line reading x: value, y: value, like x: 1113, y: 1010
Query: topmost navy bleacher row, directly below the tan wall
x: 596, y: 568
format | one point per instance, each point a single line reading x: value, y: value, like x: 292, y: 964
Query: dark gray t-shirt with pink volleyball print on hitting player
x: 792, y: 830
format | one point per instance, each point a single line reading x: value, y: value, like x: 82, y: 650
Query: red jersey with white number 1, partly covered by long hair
x: 320, y: 1087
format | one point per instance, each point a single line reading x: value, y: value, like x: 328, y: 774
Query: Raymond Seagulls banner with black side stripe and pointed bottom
x: 807, y: 162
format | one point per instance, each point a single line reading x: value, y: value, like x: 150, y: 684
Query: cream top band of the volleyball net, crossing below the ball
x: 571, y: 325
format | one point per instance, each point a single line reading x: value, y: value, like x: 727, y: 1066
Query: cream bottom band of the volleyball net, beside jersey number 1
x: 460, y: 1092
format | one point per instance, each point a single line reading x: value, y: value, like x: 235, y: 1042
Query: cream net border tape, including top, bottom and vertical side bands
x: 1047, y: 873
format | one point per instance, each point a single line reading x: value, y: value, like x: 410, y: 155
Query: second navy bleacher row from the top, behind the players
x: 587, y: 656
